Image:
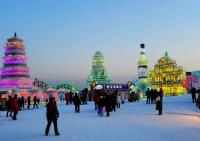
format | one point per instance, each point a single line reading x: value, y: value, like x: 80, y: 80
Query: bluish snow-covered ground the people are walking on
x: 134, y: 121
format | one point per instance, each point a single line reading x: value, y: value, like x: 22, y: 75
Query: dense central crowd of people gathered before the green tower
x: 102, y: 100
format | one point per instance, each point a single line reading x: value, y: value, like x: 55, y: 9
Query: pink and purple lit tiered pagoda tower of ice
x: 15, y: 73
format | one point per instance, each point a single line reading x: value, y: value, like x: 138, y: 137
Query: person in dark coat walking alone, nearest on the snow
x: 52, y: 115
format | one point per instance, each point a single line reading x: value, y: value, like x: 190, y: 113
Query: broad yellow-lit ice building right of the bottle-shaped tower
x: 168, y: 75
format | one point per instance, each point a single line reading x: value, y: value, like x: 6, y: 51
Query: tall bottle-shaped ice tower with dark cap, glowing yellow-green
x: 143, y: 66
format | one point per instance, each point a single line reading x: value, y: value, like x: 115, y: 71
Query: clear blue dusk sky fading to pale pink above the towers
x: 61, y: 36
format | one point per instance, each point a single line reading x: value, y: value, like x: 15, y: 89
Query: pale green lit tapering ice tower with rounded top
x: 98, y: 73
